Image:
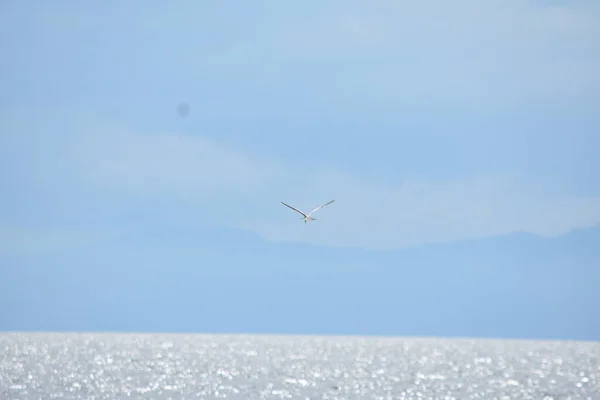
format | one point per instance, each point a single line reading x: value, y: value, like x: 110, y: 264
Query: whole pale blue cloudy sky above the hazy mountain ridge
x: 428, y: 121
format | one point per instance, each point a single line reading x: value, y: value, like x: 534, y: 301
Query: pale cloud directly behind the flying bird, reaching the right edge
x: 416, y: 212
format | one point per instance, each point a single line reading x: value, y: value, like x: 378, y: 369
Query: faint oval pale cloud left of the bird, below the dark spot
x: 168, y: 164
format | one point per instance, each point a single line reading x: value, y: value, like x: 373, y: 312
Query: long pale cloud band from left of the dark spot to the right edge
x: 224, y: 186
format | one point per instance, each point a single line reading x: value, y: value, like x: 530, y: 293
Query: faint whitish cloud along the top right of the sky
x: 436, y: 30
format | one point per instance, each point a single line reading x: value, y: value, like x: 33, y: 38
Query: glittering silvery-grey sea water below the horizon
x: 181, y: 366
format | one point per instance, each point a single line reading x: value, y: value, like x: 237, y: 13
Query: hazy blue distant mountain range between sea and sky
x: 183, y: 279
